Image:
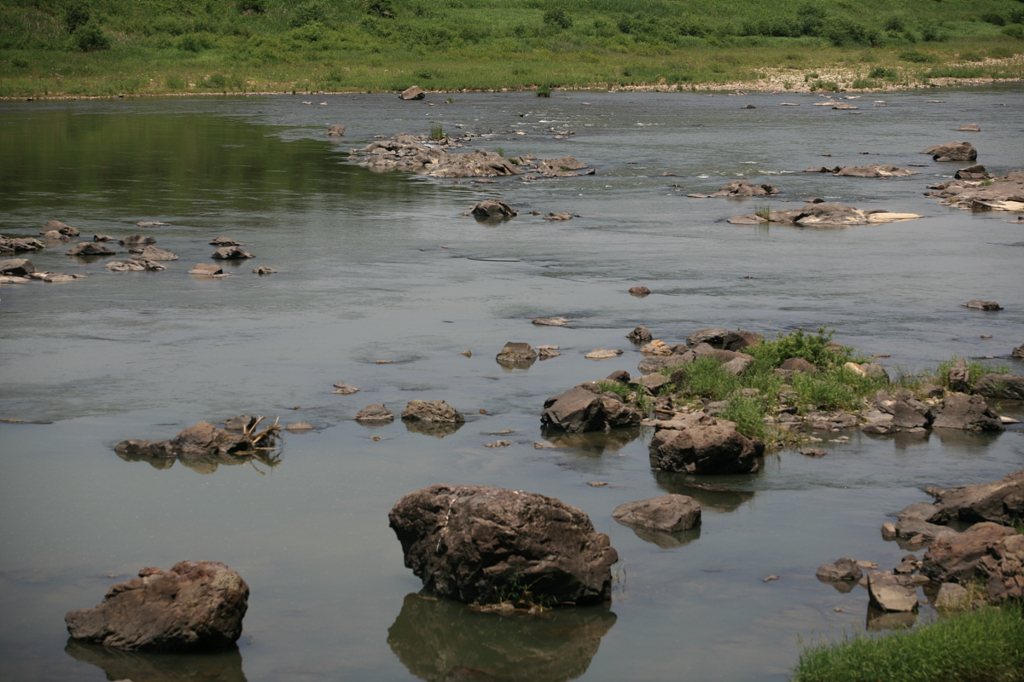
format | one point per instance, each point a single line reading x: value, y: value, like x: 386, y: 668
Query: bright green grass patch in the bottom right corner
x: 987, y: 645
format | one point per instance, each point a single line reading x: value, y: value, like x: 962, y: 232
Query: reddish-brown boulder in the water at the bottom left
x: 194, y: 607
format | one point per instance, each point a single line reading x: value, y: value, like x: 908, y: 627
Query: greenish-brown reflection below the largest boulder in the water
x: 444, y: 641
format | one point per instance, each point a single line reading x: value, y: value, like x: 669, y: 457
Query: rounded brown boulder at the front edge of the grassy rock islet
x: 699, y: 444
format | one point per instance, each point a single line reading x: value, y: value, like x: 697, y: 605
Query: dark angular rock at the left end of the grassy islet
x: 585, y: 408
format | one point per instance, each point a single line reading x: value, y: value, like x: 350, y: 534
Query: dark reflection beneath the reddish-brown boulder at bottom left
x: 119, y: 665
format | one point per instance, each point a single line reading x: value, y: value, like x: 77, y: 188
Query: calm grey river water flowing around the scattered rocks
x: 386, y: 268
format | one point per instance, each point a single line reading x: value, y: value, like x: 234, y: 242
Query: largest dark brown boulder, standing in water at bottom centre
x: 485, y: 545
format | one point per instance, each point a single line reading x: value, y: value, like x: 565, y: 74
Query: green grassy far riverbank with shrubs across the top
x: 73, y: 49
